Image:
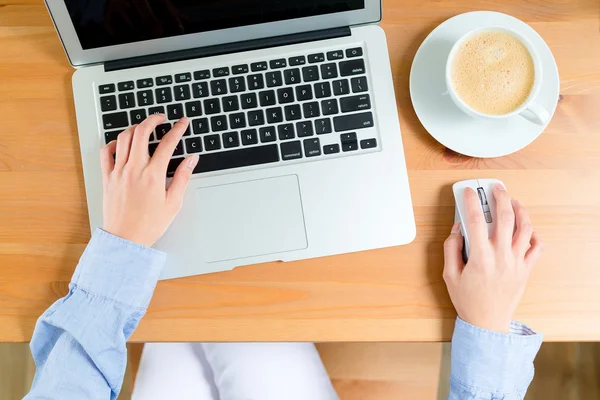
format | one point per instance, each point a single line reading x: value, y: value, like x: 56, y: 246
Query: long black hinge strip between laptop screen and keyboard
x: 228, y: 48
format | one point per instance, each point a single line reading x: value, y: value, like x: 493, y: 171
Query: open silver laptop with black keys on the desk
x: 292, y: 110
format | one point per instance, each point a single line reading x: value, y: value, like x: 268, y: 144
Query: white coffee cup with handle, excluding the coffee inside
x: 529, y: 110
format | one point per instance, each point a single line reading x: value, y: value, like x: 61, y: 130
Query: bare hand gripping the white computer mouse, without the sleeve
x: 487, y: 290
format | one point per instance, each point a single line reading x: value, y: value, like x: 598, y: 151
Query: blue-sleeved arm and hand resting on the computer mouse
x: 492, y: 356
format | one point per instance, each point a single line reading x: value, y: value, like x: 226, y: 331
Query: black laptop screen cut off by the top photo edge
x: 101, y: 23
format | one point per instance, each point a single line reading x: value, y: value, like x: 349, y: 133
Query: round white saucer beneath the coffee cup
x: 475, y: 137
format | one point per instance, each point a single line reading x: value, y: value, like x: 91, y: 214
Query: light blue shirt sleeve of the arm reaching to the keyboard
x: 78, y: 344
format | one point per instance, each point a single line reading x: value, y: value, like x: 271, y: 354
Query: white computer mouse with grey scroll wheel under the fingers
x: 483, y: 187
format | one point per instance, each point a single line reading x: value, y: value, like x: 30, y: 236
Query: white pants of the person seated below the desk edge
x: 232, y: 371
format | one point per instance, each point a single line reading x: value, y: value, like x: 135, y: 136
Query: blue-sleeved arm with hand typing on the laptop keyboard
x: 78, y: 344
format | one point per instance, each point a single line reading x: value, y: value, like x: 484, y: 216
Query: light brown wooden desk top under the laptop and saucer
x: 385, y: 295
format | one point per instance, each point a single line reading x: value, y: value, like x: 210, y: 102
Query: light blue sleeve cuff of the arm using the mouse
x: 488, y: 365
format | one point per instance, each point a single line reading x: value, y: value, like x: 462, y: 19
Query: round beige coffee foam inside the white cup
x: 493, y: 72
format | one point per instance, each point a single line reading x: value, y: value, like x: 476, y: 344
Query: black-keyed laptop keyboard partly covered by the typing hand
x: 306, y: 107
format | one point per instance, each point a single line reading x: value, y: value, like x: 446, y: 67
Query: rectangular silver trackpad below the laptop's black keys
x: 251, y: 219
